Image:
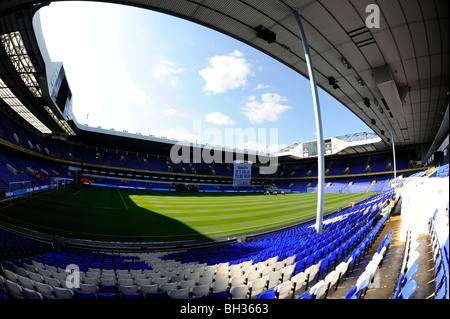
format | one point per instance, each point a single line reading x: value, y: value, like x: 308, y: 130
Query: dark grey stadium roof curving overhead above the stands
x: 394, y: 75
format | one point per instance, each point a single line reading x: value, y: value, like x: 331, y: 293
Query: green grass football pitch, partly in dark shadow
x: 124, y: 215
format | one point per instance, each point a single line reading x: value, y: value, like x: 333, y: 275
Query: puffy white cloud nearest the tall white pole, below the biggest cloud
x: 269, y: 109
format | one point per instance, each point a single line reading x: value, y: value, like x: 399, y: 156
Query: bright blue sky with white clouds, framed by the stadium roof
x: 142, y: 71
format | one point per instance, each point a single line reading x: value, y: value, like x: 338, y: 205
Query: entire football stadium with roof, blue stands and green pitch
x: 88, y: 212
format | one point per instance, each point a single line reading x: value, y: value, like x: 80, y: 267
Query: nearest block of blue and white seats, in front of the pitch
x: 227, y: 268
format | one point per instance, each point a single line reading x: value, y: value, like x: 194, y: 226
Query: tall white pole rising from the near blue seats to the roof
x: 320, y: 148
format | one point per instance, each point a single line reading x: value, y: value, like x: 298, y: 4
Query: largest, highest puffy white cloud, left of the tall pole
x: 225, y: 72
